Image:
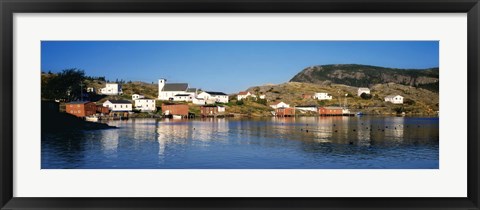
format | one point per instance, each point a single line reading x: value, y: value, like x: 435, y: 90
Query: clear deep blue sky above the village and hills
x: 227, y: 66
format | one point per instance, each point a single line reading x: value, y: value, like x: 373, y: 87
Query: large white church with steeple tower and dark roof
x: 175, y: 91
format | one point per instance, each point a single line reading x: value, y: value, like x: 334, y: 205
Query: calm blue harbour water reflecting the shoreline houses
x: 281, y: 143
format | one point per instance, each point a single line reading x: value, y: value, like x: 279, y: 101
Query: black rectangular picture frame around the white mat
x: 9, y: 7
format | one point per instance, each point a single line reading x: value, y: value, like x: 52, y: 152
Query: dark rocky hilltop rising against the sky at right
x: 367, y: 76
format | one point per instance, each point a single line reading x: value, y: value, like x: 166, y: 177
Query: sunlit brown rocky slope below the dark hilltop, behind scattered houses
x: 417, y: 101
